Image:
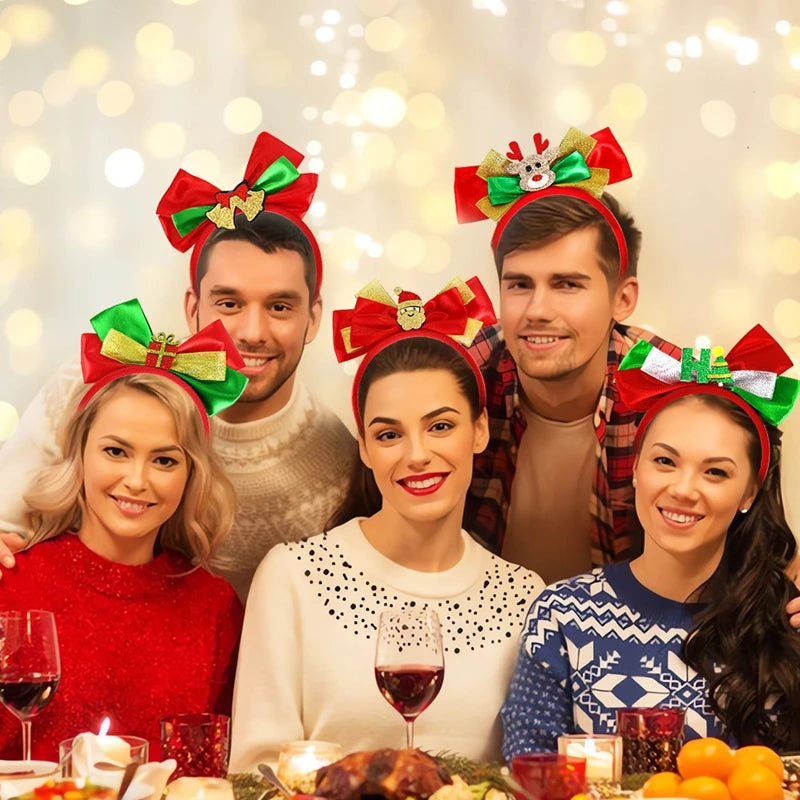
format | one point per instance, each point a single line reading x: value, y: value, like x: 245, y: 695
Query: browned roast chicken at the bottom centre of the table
x: 390, y: 774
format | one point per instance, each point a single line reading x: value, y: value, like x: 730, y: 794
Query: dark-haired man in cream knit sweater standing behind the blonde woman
x: 288, y: 457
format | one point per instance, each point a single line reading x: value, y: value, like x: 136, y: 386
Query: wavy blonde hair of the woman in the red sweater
x: 205, y: 514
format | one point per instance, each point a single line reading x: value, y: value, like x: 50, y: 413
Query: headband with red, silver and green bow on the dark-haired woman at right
x: 750, y: 376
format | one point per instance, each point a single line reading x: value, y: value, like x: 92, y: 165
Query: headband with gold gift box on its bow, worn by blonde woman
x: 205, y: 365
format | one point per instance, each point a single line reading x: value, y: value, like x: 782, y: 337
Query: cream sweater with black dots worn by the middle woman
x: 306, y: 659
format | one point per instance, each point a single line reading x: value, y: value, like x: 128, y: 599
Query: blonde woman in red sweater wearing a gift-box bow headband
x: 124, y: 525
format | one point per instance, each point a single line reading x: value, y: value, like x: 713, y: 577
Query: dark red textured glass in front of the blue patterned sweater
x: 651, y: 739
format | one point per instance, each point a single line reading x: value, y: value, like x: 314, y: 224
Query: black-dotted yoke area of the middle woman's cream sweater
x: 491, y: 612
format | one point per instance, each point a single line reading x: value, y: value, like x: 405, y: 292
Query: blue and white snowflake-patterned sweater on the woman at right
x: 593, y: 644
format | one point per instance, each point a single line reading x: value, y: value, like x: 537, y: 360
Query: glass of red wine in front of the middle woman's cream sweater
x: 409, y: 662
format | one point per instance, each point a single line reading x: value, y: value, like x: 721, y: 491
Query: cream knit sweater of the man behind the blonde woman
x: 289, y: 470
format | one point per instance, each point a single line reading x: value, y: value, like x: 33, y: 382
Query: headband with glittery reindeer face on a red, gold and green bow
x: 581, y: 167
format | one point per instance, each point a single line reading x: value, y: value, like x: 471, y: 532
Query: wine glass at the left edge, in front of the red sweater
x: 30, y: 666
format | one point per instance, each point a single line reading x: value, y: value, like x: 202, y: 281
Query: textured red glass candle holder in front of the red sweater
x: 200, y: 744
